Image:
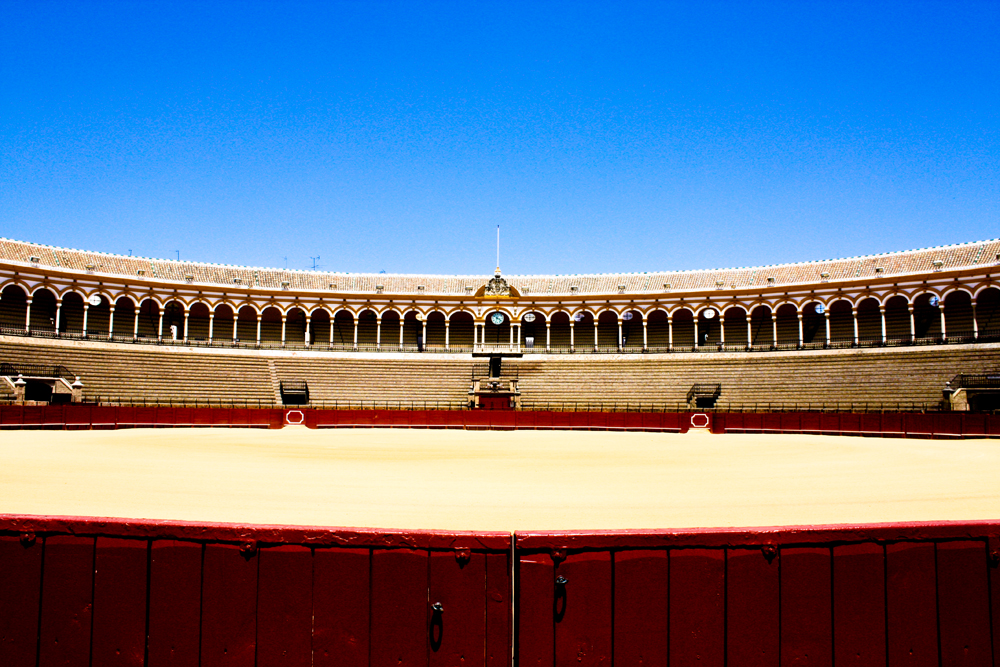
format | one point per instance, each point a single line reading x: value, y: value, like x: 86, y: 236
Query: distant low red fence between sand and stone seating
x: 906, y: 424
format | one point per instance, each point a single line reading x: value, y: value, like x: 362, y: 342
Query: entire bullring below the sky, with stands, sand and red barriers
x: 790, y: 464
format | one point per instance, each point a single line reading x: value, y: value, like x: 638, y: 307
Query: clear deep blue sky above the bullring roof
x: 602, y: 137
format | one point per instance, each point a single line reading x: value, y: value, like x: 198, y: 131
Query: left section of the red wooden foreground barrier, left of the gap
x: 117, y: 592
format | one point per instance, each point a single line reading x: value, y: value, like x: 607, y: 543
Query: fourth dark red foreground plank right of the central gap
x: 697, y: 607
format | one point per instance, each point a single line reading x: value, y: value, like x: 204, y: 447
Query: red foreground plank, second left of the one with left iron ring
x: 341, y: 606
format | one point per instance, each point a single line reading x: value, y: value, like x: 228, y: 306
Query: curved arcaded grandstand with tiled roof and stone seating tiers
x: 889, y: 328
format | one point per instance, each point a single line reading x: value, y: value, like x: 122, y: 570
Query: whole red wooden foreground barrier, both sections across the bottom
x: 109, y: 592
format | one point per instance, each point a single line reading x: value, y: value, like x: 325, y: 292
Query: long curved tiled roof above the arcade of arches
x: 895, y: 263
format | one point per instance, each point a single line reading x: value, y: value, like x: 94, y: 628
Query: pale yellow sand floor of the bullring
x: 524, y: 480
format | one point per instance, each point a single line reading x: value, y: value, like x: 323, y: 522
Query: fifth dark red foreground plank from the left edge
x: 229, y: 607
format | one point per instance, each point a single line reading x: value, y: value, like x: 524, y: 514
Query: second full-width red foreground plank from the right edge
x: 911, y: 604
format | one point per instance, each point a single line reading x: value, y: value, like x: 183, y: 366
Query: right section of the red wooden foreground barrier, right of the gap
x: 913, y: 594
